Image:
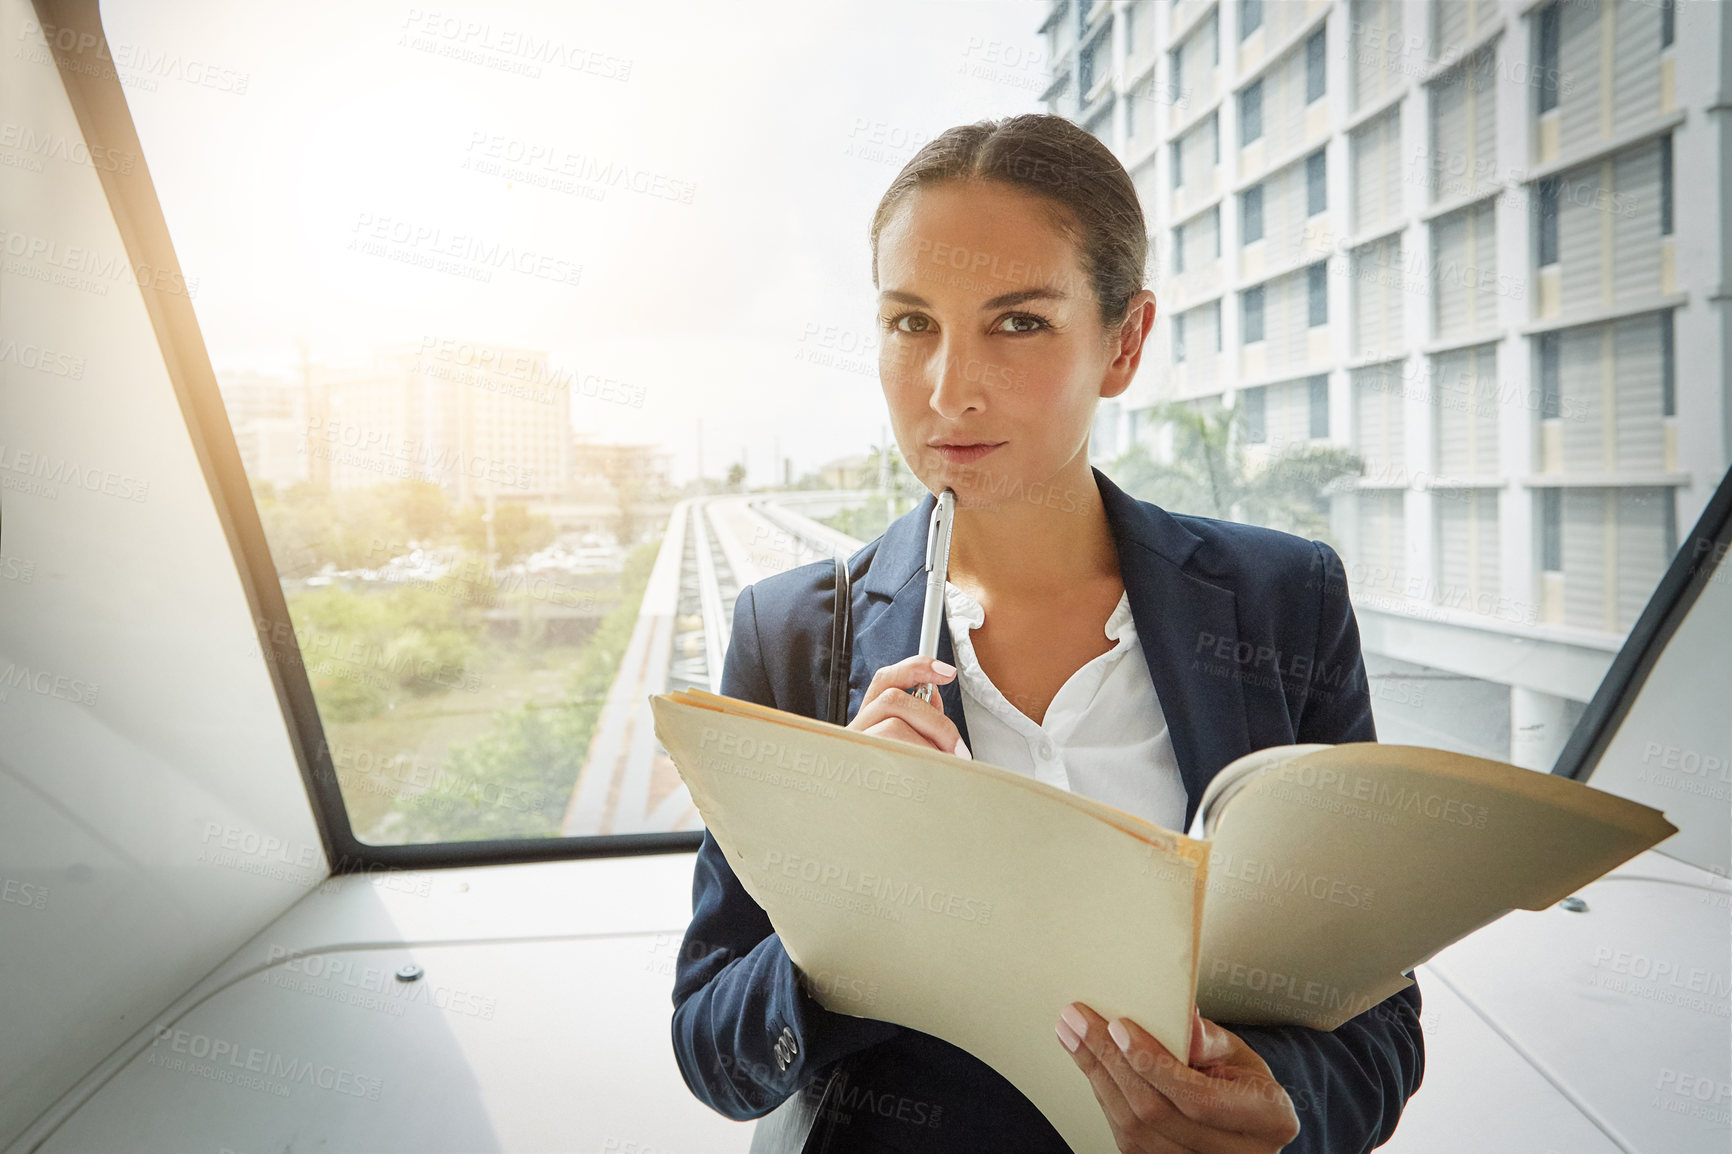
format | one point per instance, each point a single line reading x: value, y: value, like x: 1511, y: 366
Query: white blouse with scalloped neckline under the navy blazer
x: 1104, y: 736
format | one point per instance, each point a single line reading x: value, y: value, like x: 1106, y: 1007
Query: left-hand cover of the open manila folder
x: 976, y: 900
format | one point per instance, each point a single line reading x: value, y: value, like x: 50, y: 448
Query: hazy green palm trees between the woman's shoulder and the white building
x: 1212, y: 476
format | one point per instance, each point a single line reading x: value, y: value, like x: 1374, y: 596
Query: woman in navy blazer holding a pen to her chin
x: 1090, y: 642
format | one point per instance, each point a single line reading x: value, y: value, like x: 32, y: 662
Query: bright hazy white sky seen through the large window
x: 675, y: 198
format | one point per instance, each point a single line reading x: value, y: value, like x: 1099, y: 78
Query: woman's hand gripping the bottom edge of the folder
x: 1224, y: 1101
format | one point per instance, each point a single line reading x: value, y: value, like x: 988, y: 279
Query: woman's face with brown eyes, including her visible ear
x: 993, y: 356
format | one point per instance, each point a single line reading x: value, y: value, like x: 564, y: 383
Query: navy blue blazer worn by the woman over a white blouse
x: 1250, y: 642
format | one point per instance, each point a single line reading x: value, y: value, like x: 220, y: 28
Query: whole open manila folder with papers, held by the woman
x: 974, y: 904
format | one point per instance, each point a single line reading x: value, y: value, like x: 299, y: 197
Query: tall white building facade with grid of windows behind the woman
x: 1485, y: 245
